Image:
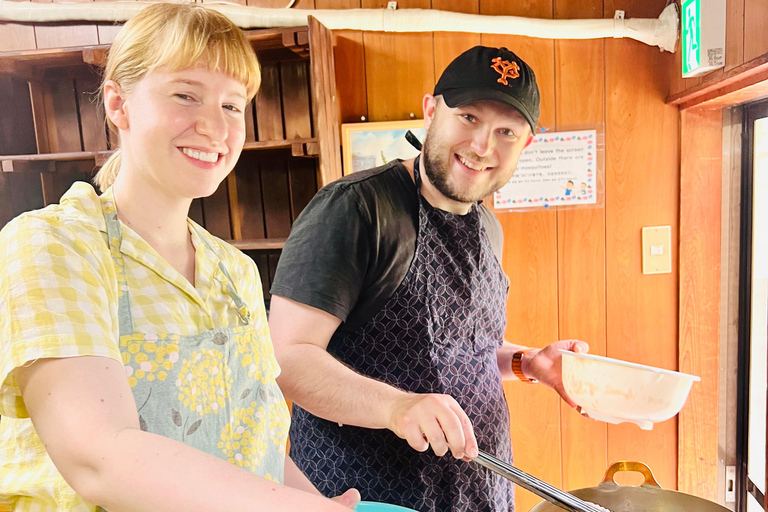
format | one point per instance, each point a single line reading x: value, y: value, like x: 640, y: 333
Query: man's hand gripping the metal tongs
x: 434, y: 420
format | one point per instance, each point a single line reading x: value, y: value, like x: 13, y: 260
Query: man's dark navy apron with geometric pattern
x: 438, y: 333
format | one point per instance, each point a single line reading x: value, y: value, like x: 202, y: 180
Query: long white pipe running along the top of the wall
x: 661, y: 32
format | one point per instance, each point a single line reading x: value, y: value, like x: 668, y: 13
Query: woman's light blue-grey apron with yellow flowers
x: 214, y: 391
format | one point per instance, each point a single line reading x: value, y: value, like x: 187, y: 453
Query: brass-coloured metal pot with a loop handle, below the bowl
x: 649, y: 497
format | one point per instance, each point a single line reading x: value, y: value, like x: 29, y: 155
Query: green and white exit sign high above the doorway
x: 703, y: 31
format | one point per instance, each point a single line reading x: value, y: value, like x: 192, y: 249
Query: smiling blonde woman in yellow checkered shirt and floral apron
x: 137, y: 372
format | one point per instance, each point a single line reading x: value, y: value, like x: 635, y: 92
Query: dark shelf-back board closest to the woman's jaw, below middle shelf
x: 250, y: 212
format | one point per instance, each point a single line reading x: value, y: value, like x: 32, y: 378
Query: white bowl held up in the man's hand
x: 618, y: 391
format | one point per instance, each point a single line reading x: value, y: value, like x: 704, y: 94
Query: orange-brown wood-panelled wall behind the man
x: 575, y: 274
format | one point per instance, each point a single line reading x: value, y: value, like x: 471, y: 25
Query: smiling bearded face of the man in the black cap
x: 471, y: 151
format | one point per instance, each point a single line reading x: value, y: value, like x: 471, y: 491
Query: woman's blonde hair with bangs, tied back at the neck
x: 176, y: 36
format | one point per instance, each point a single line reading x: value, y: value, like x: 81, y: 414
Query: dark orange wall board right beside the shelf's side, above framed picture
x: 349, y: 57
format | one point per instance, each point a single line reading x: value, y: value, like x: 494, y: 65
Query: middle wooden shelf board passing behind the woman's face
x: 45, y: 162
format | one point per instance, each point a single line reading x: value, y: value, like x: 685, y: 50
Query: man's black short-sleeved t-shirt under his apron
x: 351, y: 247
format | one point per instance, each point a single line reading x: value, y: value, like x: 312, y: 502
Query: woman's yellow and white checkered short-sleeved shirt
x: 58, y: 298
